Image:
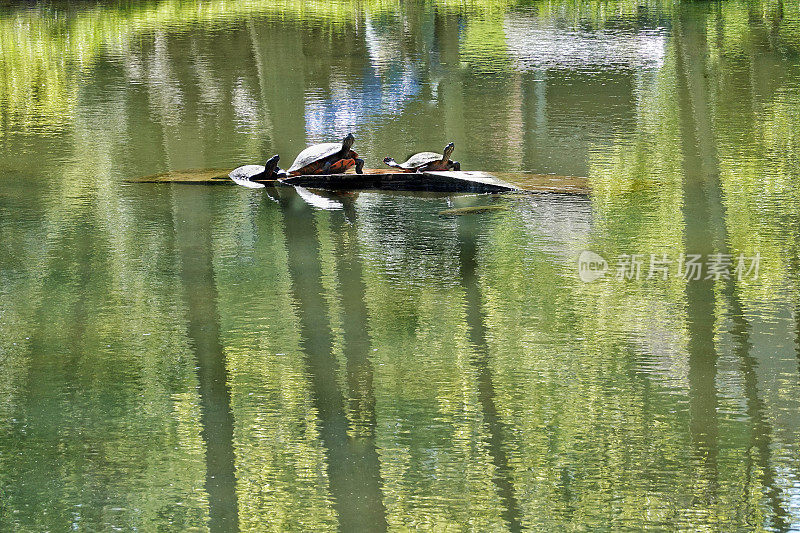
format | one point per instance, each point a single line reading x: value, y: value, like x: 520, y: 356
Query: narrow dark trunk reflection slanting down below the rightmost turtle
x: 468, y: 227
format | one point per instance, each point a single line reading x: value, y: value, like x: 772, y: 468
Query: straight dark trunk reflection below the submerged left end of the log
x: 192, y: 212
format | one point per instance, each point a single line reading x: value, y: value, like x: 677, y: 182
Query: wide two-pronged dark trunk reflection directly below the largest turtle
x: 353, y: 466
